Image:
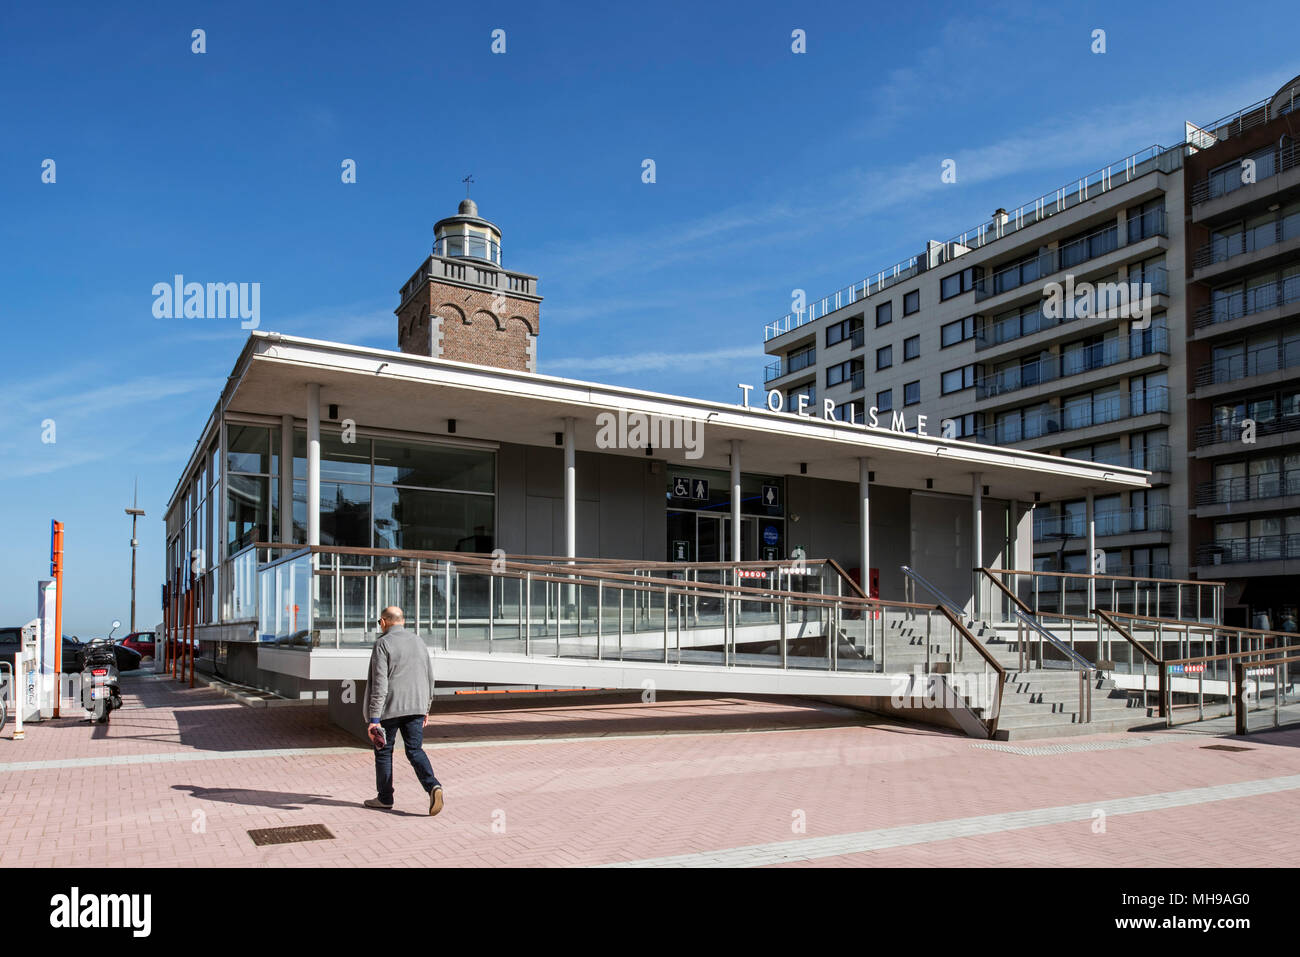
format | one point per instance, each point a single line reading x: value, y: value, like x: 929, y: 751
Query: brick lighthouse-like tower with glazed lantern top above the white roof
x: 462, y: 305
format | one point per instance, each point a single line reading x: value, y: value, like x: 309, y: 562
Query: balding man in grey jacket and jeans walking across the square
x: 400, y: 698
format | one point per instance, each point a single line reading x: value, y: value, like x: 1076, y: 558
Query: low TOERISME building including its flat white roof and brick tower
x: 454, y: 444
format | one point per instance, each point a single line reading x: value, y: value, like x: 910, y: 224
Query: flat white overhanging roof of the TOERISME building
x: 384, y: 389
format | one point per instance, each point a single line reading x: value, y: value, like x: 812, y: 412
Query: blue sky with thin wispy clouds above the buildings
x: 774, y: 171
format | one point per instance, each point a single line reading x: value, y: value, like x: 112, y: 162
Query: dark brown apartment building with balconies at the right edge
x: 1242, y: 180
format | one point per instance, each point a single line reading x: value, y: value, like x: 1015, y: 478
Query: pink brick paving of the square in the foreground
x: 645, y: 781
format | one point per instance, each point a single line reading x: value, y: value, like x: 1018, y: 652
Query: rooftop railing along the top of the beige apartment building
x: 1154, y: 158
